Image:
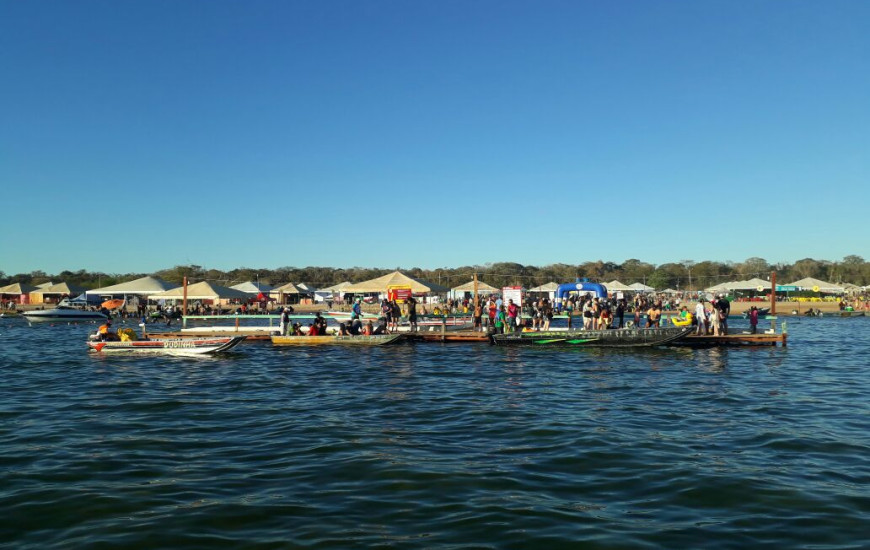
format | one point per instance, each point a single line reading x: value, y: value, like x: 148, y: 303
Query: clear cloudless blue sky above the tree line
x: 136, y: 136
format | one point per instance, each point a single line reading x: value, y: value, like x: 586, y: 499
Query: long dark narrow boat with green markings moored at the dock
x: 626, y: 337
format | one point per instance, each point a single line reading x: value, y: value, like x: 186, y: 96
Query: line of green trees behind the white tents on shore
x: 683, y: 275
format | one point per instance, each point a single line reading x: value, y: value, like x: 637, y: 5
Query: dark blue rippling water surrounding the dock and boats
x: 437, y: 446
